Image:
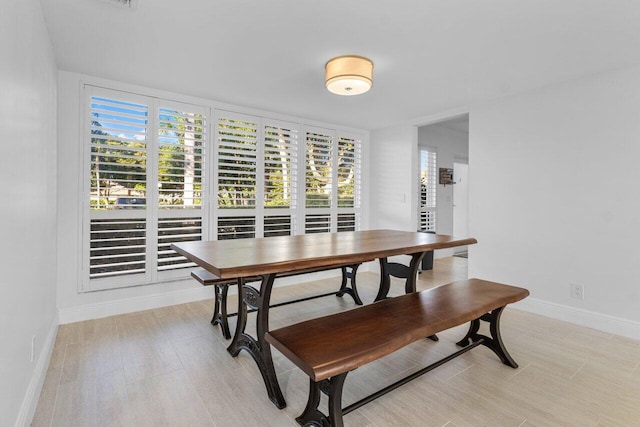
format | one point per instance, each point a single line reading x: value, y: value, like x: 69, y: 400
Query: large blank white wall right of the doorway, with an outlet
x: 555, y: 197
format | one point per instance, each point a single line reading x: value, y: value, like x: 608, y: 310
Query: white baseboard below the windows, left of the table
x: 130, y: 305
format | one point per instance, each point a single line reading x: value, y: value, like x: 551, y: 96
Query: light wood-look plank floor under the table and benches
x: 169, y: 367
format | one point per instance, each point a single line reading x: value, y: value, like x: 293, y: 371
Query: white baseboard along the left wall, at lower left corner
x: 30, y: 401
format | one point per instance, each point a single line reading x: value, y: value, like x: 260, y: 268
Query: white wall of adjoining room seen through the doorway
x: 448, y: 145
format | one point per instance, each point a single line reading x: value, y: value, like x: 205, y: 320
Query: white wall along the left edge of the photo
x: 28, y: 207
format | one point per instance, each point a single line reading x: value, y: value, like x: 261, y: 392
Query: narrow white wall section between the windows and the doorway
x: 394, y: 178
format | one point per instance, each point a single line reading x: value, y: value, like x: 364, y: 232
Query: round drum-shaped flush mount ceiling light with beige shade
x: 349, y: 75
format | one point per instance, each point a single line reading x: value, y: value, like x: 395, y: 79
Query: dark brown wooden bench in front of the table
x: 328, y: 348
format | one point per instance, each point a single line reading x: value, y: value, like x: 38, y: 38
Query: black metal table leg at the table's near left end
x: 258, y: 348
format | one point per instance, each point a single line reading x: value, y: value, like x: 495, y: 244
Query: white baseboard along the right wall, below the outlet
x: 602, y: 322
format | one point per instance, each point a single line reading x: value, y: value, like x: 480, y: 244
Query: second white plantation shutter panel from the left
x: 181, y: 139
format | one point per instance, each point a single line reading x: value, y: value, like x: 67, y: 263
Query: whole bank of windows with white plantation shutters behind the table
x: 147, y: 175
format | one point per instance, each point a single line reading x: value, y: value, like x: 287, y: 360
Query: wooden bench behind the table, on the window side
x: 221, y: 289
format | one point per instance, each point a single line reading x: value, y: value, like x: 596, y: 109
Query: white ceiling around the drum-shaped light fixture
x: 430, y: 56
